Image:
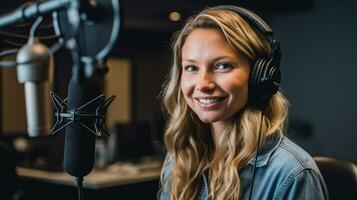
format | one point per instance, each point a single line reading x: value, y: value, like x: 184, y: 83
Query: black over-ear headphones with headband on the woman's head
x: 265, y: 76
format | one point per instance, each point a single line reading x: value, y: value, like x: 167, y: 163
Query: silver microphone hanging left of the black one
x: 32, y: 71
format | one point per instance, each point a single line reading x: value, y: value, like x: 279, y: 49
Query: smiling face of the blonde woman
x: 214, y: 78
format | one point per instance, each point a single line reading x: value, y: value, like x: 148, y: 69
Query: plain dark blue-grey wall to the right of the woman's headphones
x: 319, y: 69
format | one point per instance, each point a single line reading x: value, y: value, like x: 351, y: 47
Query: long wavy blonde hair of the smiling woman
x: 188, y: 140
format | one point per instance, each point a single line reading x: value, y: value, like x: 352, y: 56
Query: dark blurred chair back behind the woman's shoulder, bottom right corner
x: 340, y: 177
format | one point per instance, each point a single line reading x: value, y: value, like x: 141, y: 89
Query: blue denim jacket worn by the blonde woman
x: 283, y: 171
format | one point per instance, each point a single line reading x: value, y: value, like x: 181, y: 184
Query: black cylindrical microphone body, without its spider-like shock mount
x: 79, y: 145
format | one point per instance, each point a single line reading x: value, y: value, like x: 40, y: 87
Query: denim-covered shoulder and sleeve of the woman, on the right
x: 299, y: 174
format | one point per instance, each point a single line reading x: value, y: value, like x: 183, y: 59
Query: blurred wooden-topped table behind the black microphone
x: 118, y: 181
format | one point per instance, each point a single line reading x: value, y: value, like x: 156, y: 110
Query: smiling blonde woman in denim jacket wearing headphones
x: 216, y: 123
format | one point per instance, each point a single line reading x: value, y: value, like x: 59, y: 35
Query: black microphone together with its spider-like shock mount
x: 83, y: 116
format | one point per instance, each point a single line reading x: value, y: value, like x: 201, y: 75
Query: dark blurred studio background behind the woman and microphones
x: 318, y: 41
